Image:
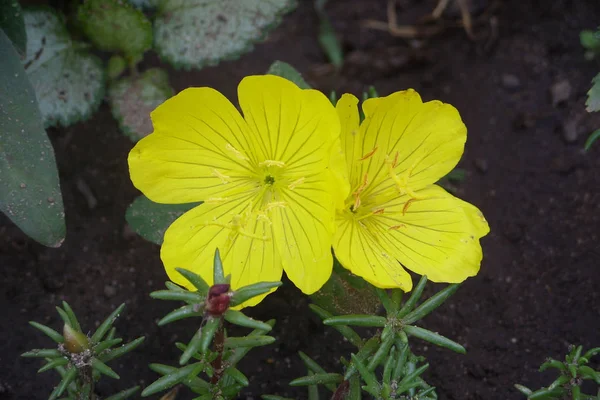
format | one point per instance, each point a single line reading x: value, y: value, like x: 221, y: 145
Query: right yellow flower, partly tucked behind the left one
x: 394, y: 213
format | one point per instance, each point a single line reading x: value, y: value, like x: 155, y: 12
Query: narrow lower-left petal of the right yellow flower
x: 359, y: 249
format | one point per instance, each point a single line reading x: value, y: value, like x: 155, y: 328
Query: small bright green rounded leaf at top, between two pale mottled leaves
x: 116, y: 26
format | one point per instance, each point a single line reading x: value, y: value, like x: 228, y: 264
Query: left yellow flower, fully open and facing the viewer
x: 269, y: 198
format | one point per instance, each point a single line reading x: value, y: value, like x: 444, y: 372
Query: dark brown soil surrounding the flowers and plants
x: 538, y: 289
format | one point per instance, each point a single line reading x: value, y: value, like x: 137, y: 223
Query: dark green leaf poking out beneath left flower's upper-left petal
x: 150, y: 220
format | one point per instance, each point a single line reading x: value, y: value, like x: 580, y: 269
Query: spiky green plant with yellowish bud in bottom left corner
x: 79, y: 359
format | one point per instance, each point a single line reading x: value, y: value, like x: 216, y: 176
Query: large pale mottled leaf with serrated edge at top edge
x: 198, y: 33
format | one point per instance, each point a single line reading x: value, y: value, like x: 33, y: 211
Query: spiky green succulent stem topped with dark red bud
x: 213, y: 352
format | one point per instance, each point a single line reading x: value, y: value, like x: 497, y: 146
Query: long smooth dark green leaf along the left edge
x: 29, y: 185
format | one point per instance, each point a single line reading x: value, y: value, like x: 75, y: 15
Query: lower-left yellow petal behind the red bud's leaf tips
x: 242, y: 234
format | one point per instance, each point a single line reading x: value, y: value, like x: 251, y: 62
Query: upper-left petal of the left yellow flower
x: 199, y: 149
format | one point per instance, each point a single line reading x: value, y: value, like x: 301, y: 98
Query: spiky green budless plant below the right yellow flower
x: 383, y: 365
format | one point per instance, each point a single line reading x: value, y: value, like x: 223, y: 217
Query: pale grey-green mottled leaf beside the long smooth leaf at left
x: 67, y: 79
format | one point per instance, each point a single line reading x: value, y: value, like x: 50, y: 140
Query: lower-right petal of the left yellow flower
x: 302, y: 227
